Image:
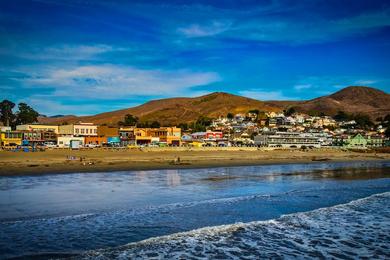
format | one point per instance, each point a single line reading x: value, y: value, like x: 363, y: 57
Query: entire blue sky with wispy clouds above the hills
x: 84, y: 57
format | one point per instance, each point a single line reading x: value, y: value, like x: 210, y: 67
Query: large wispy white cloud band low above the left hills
x: 113, y: 81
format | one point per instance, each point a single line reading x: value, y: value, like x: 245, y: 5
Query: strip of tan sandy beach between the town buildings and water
x: 103, y: 160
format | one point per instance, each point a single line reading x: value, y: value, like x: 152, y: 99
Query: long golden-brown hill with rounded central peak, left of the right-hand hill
x: 173, y: 111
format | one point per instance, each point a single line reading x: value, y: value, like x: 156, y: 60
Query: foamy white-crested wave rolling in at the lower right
x: 356, y: 229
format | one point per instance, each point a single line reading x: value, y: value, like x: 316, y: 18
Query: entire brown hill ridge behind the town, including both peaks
x: 172, y: 111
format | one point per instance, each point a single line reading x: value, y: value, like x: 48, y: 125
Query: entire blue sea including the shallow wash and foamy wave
x: 337, y: 210
